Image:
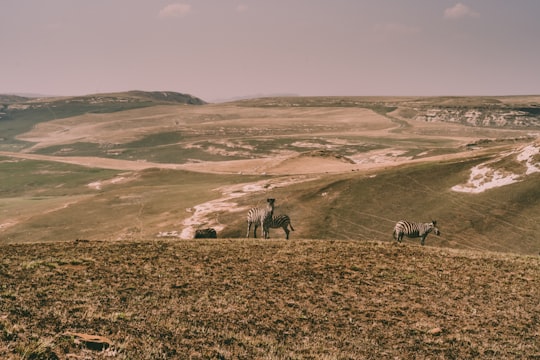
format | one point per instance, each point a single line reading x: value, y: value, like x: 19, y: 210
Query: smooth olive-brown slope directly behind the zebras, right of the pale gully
x: 366, y: 207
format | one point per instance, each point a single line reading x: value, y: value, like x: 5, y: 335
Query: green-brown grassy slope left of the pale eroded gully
x: 48, y: 201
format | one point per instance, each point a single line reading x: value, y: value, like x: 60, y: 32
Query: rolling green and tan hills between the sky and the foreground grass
x: 342, y: 168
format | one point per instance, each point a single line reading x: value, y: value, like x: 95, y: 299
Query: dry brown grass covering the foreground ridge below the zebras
x: 246, y: 299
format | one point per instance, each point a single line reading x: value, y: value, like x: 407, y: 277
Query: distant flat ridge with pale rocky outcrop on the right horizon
x: 510, y: 112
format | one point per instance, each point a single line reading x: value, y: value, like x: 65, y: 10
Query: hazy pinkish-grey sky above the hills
x: 219, y: 49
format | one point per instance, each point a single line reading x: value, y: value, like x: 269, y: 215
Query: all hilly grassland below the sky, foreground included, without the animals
x: 101, y: 195
